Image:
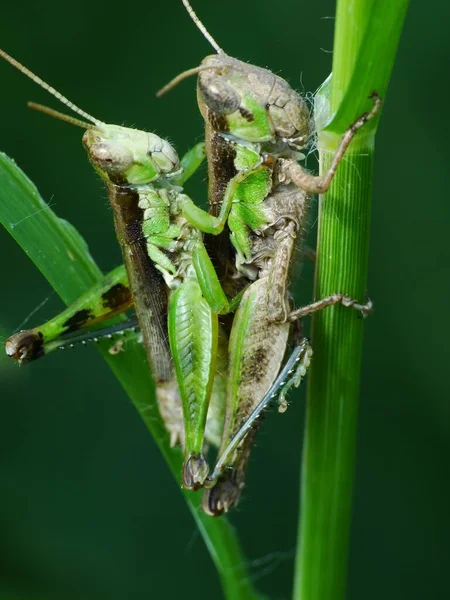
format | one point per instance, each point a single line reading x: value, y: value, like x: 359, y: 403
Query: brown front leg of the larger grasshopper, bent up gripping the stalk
x: 319, y: 184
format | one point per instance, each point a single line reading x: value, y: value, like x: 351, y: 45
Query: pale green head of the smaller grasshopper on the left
x: 128, y: 156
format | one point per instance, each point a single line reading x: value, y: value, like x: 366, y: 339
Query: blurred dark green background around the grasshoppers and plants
x: 87, y: 507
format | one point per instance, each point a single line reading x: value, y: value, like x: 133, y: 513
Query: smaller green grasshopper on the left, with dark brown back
x: 162, y: 251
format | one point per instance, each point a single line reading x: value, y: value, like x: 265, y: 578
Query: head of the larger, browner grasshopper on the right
x: 251, y: 103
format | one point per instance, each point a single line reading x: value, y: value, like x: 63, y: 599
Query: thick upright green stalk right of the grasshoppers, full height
x: 366, y: 38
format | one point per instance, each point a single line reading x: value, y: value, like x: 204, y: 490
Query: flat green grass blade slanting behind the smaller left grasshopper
x: 62, y: 256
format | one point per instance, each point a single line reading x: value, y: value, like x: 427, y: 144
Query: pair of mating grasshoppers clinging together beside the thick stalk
x: 255, y: 127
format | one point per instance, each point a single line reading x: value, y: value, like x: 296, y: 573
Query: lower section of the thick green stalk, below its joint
x: 333, y: 385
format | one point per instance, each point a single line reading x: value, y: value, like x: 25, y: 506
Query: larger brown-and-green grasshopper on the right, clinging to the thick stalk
x: 254, y: 121
